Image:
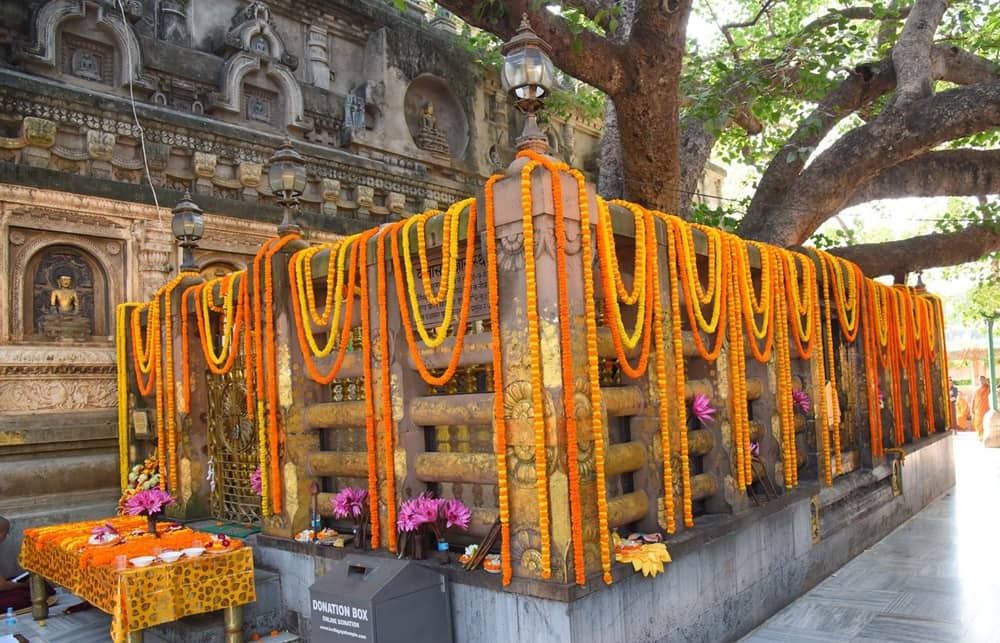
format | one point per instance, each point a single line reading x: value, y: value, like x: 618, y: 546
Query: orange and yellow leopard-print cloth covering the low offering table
x: 138, y: 598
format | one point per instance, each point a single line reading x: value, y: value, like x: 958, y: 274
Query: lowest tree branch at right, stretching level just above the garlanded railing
x: 926, y: 251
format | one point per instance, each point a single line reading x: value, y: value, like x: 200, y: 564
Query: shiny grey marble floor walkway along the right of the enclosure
x: 935, y: 578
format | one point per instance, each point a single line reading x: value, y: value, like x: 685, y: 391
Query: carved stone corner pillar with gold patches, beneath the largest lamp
x: 514, y: 314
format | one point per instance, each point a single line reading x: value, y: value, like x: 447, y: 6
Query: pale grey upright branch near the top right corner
x: 911, y: 56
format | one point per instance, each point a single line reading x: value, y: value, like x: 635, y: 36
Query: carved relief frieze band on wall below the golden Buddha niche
x: 48, y: 395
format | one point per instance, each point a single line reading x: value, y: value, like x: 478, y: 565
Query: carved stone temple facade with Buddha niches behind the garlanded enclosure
x: 386, y: 106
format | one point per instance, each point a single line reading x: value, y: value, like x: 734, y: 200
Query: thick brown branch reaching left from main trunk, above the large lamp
x: 601, y: 67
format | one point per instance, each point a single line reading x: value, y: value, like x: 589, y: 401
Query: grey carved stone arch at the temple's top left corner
x: 54, y: 13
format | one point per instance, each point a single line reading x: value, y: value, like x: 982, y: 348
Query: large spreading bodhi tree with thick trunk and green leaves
x: 833, y: 104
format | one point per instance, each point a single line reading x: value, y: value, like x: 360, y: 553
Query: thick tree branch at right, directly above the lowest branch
x: 945, y: 173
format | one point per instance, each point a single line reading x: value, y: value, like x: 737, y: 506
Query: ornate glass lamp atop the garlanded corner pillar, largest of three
x: 528, y: 75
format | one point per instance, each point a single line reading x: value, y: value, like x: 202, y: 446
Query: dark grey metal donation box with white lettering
x: 380, y: 600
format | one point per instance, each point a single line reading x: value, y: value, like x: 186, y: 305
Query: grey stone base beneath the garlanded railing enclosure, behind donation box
x: 729, y: 574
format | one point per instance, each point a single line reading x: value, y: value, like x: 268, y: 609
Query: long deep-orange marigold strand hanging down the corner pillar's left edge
x: 499, y: 413
